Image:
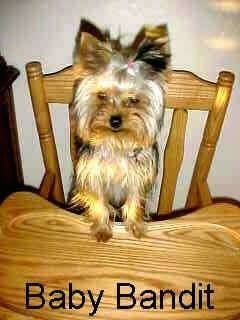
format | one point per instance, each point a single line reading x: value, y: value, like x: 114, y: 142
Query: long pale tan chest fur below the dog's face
x: 116, y: 175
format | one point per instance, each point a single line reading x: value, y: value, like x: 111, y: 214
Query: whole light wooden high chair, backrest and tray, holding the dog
x: 41, y: 243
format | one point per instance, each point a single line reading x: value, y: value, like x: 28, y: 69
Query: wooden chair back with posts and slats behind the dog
x: 185, y: 91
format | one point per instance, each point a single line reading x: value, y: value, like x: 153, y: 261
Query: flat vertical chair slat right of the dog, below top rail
x: 173, y: 157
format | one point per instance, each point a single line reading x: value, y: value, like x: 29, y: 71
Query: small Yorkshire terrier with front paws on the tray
x: 118, y: 107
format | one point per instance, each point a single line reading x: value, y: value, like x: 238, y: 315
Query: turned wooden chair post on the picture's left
x: 44, y: 127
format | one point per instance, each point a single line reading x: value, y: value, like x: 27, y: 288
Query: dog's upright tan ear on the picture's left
x: 91, y: 54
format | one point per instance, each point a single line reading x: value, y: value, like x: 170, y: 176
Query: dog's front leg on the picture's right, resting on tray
x: 133, y: 211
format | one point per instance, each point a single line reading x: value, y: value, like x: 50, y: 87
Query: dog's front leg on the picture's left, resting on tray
x: 97, y: 213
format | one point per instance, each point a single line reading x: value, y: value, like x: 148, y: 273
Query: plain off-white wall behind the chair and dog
x: 204, y: 39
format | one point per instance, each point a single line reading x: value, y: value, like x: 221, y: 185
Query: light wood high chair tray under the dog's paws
x: 42, y: 243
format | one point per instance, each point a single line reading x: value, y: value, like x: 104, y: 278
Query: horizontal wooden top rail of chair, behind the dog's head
x: 184, y: 90
